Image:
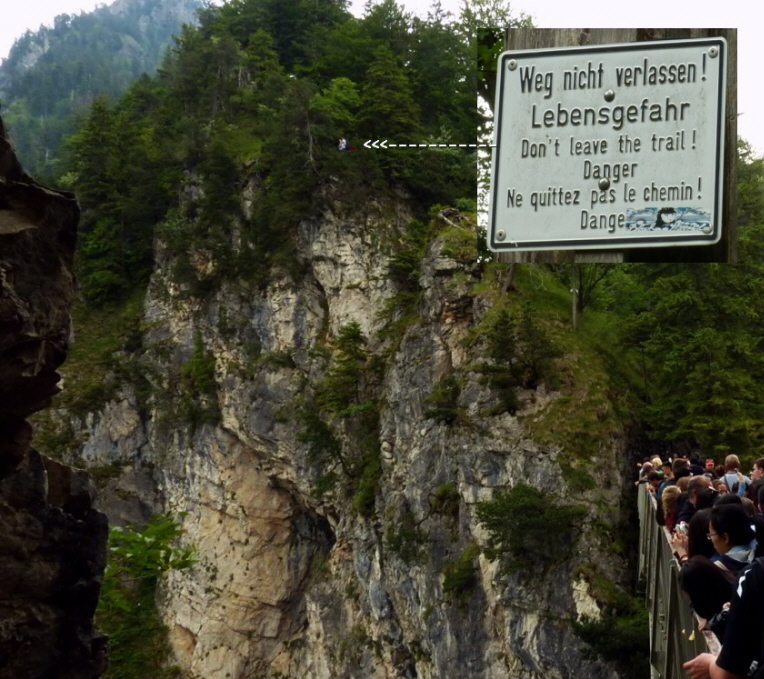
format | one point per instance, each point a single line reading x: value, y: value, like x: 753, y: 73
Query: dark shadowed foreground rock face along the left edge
x: 52, y: 542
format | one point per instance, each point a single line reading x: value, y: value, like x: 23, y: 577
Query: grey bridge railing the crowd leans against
x: 674, y: 635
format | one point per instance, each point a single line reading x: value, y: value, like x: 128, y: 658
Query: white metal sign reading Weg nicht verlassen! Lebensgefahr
x: 609, y: 146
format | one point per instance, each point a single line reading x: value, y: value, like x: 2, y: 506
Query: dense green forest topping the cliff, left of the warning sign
x: 260, y: 93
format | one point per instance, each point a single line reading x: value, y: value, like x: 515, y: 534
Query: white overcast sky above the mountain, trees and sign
x: 746, y: 15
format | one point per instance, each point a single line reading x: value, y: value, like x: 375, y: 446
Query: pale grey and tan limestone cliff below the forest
x: 296, y: 582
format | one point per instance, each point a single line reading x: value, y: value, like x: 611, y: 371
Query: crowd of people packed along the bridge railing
x: 714, y: 516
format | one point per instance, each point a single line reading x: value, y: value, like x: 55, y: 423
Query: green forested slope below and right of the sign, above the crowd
x: 694, y: 334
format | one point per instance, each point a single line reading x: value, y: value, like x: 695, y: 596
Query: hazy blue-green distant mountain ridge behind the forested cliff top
x: 54, y: 73
